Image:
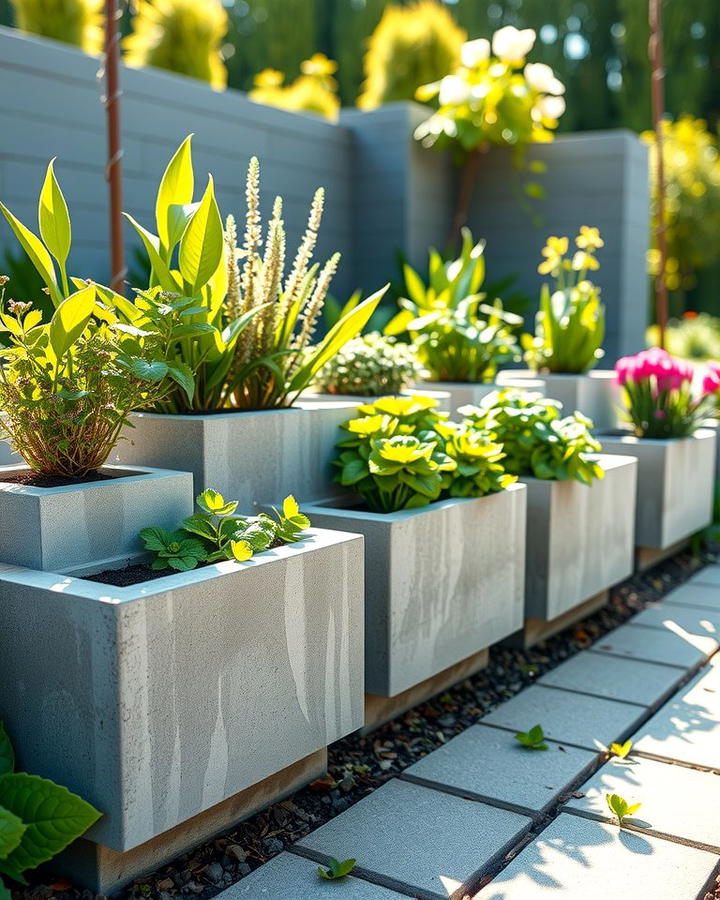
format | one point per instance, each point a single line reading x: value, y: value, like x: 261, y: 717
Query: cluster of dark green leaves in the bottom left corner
x: 38, y: 818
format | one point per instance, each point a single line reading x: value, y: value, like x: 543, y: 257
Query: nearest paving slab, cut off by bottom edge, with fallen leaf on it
x: 290, y: 877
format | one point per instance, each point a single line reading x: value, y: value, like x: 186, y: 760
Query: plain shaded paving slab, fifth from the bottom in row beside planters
x: 615, y: 678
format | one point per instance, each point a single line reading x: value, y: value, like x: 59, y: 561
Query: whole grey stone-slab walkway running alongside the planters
x: 483, y: 818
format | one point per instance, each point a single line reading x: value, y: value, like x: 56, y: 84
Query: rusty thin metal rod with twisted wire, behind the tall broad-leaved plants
x: 113, y: 171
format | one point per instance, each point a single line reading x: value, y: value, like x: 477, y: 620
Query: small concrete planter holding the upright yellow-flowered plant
x: 596, y: 394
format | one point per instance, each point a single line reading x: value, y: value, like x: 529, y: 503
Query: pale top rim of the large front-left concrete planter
x: 317, y: 539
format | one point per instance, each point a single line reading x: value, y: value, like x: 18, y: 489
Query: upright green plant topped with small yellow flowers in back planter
x: 570, y: 325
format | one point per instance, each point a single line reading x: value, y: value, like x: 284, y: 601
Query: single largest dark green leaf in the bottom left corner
x: 54, y: 818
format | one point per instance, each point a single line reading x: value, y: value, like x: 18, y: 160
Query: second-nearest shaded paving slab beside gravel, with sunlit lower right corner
x: 427, y: 840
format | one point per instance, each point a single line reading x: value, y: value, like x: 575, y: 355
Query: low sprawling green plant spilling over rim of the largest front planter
x: 216, y: 533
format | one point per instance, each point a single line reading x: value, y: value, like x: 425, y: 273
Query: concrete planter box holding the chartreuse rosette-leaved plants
x: 442, y: 582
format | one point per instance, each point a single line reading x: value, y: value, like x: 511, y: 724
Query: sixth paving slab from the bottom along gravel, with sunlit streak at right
x: 676, y: 637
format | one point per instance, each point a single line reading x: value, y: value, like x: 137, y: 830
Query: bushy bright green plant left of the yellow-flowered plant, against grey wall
x: 457, y: 336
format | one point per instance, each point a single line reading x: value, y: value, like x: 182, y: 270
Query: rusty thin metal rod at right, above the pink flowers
x: 657, y: 92
